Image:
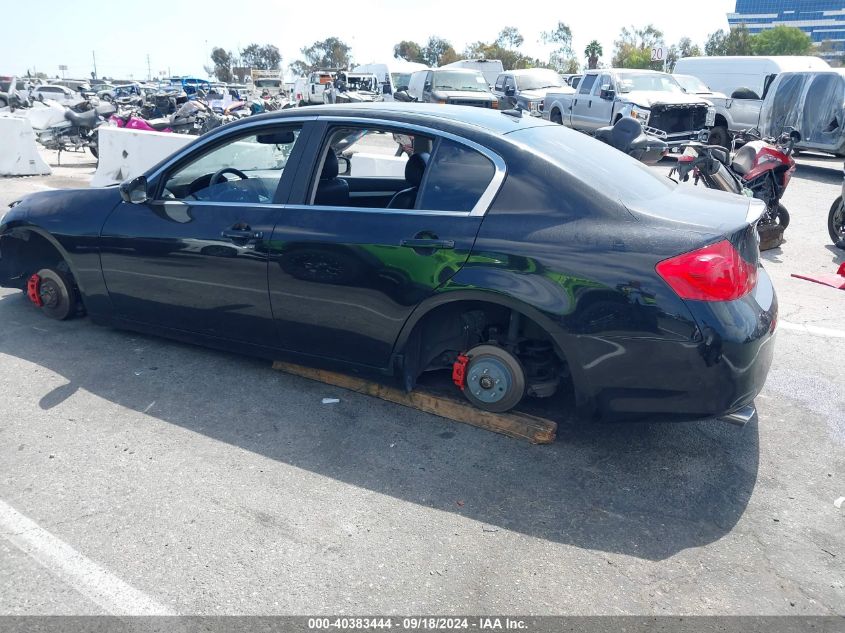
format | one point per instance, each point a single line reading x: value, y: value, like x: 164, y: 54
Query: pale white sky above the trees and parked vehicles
x: 178, y: 35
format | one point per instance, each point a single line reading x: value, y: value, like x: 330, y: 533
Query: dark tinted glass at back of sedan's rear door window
x: 456, y: 178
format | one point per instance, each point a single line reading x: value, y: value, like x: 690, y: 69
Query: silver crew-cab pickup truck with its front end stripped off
x: 655, y: 99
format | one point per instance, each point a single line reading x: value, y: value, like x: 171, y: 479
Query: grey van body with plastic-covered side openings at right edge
x: 812, y: 103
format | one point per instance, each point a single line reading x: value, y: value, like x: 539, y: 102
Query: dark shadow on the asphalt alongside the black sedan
x: 645, y: 490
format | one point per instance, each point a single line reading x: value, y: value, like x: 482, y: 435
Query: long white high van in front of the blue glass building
x: 729, y: 74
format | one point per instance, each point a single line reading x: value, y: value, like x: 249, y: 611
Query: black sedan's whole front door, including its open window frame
x: 194, y: 258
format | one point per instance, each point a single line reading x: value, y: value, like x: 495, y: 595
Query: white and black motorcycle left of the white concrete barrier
x: 60, y: 128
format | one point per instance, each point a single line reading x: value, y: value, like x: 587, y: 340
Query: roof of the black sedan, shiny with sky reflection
x: 494, y: 121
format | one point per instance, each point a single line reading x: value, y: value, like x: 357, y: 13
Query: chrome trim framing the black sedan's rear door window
x: 484, y: 202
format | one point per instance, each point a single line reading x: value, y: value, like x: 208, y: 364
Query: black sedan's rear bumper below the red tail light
x: 716, y: 375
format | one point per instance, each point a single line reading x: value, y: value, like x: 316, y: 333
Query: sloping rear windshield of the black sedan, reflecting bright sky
x: 603, y: 167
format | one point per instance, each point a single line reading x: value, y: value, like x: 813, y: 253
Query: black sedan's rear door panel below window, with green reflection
x: 342, y: 284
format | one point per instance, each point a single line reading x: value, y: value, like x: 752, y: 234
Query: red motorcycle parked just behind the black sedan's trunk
x: 761, y: 168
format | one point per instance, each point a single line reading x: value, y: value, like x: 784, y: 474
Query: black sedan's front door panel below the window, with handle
x: 168, y: 264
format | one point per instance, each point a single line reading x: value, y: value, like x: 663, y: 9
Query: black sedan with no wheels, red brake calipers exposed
x: 515, y: 253
